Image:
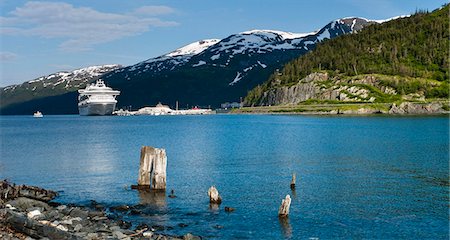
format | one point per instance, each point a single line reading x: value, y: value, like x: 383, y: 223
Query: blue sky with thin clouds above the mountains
x: 39, y: 38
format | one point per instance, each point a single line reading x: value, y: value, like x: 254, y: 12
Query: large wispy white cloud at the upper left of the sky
x: 80, y: 28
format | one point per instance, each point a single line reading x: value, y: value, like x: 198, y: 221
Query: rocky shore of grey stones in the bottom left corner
x: 28, y: 212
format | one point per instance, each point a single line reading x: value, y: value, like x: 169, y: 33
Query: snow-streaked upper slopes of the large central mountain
x: 219, y: 53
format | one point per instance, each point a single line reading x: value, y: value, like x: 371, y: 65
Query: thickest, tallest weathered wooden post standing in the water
x: 152, y: 169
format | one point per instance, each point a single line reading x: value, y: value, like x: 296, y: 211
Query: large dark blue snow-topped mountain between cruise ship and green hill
x: 211, y: 72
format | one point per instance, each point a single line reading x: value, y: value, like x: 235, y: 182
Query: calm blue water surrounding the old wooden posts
x: 357, y: 177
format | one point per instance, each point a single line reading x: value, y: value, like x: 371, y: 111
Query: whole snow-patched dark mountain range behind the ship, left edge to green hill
x: 203, y: 73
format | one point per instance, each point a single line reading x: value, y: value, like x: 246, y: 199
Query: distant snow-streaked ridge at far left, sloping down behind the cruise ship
x: 53, y: 84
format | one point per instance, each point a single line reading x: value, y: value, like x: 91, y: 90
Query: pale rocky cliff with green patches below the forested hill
x: 320, y: 88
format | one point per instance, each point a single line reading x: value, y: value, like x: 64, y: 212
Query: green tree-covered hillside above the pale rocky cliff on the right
x: 416, y: 46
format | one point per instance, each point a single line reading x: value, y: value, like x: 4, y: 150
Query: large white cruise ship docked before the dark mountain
x: 97, y: 99
